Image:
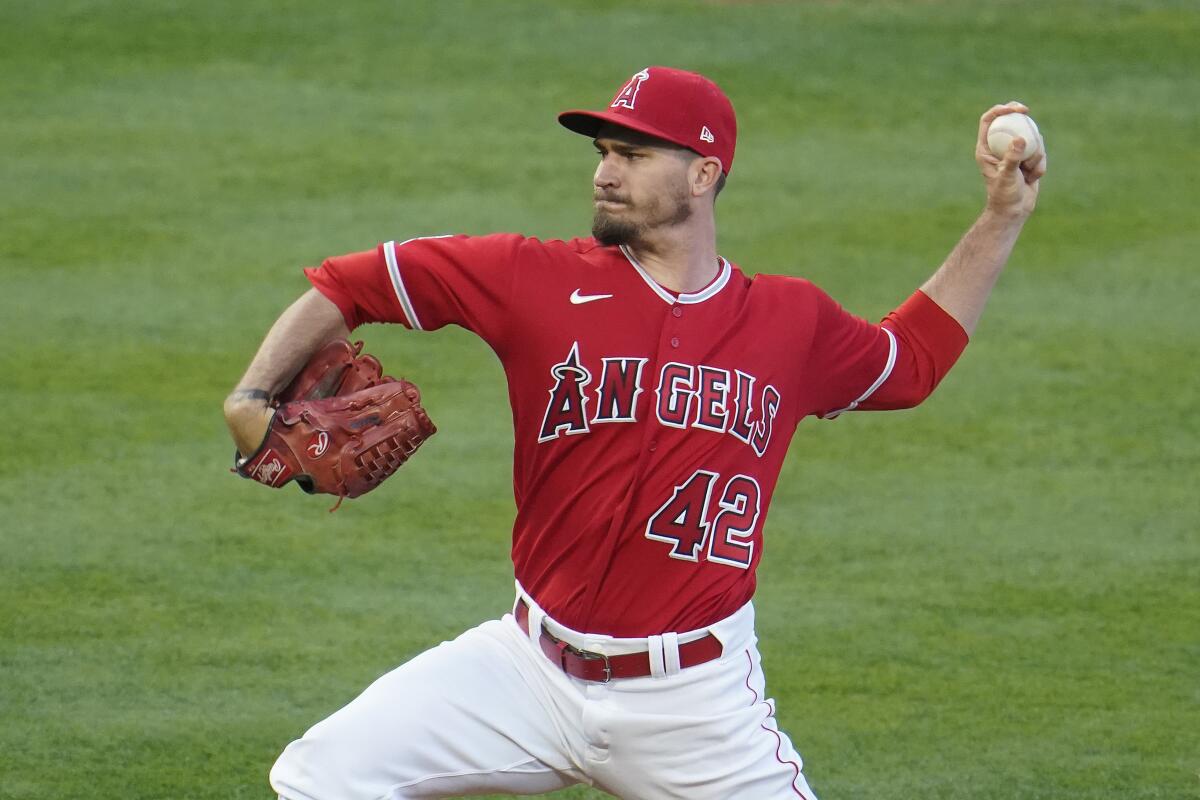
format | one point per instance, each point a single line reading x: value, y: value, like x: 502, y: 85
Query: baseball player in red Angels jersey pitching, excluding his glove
x: 655, y: 389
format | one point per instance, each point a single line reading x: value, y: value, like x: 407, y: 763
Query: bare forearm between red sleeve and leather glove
x: 301, y: 332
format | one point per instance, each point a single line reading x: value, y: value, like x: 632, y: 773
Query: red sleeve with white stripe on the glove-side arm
x: 427, y: 284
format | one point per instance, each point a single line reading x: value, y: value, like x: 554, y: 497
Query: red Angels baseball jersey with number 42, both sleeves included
x: 651, y: 426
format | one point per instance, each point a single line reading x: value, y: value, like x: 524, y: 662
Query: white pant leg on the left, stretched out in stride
x: 465, y: 718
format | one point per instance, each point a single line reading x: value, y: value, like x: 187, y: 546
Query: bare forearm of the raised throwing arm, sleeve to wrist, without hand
x: 965, y: 280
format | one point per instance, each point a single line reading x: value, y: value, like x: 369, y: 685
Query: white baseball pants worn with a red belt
x: 489, y: 713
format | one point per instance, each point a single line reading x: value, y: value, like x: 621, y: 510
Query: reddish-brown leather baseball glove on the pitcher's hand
x: 340, y: 428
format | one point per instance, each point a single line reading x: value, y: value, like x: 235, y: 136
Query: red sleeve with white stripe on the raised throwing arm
x: 896, y: 364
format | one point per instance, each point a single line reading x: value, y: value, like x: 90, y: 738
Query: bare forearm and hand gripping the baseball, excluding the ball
x: 965, y: 280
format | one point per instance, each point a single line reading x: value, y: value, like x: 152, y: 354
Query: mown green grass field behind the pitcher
x: 995, y: 596
